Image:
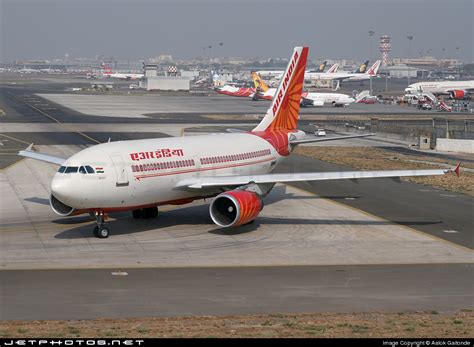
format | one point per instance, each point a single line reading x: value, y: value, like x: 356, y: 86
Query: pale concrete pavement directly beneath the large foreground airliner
x: 294, y: 228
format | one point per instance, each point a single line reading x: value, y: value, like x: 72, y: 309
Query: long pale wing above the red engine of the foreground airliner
x: 224, y: 181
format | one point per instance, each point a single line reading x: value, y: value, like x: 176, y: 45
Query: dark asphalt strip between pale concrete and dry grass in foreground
x: 87, y: 294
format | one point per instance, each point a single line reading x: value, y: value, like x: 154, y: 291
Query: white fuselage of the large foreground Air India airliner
x: 134, y: 174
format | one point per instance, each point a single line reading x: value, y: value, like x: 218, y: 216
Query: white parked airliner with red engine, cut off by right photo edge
x: 455, y: 89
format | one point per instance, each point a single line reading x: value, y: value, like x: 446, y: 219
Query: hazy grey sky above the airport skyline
x: 33, y: 29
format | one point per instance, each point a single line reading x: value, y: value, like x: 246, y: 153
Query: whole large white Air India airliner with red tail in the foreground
x: 235, y: 168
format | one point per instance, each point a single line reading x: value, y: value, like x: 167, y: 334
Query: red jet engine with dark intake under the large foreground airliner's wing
x: 235, y: 207
